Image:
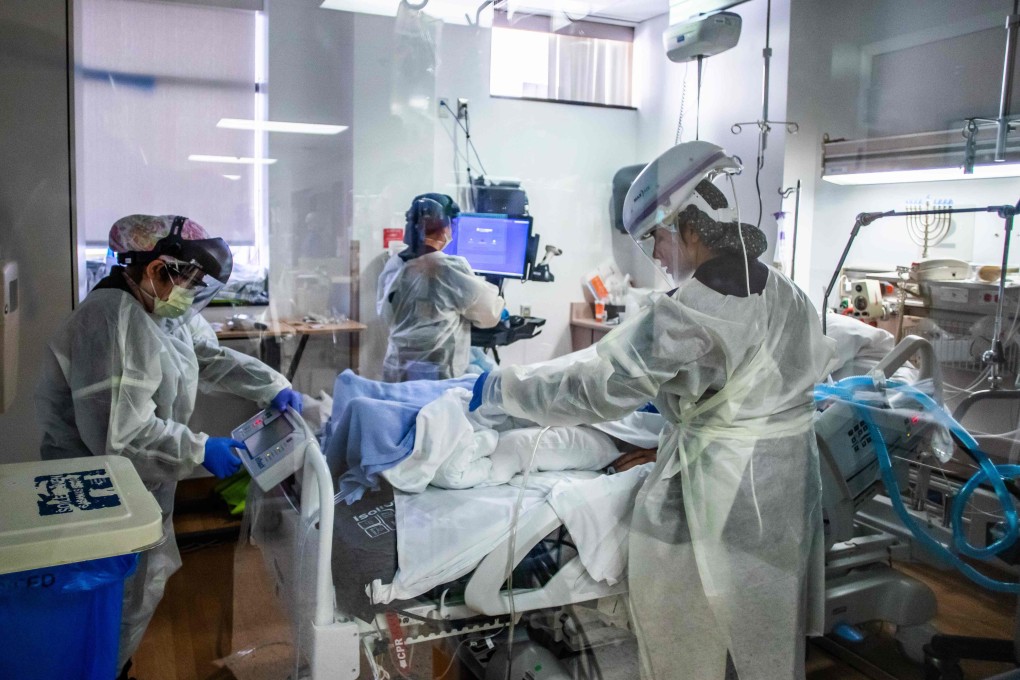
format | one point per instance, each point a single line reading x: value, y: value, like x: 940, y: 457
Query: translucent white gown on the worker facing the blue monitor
x: 435, y: 299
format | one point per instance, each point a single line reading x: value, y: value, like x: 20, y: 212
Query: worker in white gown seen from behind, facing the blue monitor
x: 433, y: 299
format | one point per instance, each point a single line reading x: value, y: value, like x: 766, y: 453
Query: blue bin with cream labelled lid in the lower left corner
x: 71, y: 532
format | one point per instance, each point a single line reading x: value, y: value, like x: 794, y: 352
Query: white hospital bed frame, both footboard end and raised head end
x: 293, y: 524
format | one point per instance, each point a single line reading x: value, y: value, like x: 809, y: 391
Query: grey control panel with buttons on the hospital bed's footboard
x: 276, y: 443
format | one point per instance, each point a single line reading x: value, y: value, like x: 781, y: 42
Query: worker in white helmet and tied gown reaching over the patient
x: 726, y: 543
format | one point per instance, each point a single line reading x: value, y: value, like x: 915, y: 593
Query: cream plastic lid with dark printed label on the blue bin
x: 73, y: 510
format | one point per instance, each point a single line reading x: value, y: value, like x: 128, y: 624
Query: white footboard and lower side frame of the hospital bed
x: 298, y: 554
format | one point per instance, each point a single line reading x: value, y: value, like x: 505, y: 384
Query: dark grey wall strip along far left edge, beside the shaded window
x: 35, y: 194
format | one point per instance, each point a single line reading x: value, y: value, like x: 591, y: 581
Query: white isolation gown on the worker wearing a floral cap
x: 121, y: 382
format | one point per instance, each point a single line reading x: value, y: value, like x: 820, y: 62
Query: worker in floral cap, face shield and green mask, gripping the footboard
x: 122, y: 375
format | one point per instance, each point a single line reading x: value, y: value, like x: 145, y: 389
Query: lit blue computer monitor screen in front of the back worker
x: 494, y: 245
